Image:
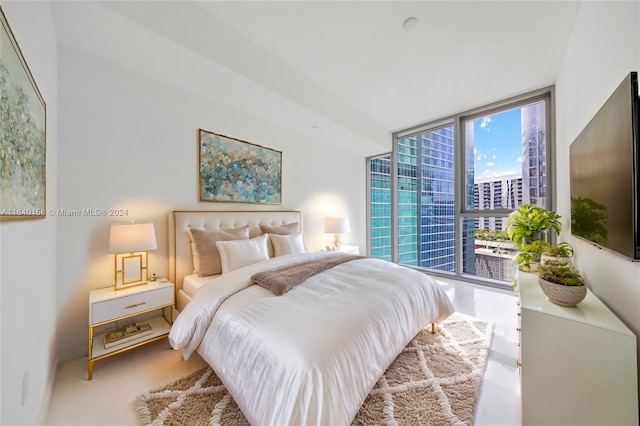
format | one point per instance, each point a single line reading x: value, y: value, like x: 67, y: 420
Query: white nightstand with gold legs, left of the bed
x: 111, y: 309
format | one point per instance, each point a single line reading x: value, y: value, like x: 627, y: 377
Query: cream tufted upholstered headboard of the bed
x: 180, y: 258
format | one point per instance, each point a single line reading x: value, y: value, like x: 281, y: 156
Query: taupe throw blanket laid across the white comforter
x: 280, y: 280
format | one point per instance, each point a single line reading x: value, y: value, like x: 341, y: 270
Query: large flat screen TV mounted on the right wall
x: 604, y: 160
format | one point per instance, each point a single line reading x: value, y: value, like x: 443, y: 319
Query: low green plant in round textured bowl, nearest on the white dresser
x: 561, y: 283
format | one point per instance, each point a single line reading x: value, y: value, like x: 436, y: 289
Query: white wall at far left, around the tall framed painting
x: 28, y: 247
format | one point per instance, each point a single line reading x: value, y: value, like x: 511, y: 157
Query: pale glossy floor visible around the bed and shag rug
x: 108, y: 398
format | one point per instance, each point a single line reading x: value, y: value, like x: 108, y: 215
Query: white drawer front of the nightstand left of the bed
x: 128, y: 305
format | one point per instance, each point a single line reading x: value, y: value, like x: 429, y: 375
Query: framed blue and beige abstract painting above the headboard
x: 232, y: 170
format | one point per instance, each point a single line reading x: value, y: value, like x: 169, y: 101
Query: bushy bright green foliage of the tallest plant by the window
x: 529, y: 223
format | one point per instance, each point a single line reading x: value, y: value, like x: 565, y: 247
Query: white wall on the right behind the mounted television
x: 604, y: 47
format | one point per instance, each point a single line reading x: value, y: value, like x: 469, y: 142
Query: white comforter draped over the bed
x: 310, y: 356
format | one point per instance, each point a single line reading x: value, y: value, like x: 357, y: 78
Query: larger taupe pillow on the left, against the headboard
x: 208, y: 257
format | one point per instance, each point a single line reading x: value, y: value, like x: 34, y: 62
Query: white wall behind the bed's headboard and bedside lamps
x: 129, y: 141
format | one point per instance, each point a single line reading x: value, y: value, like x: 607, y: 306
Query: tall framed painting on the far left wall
x: 22, y: 134
